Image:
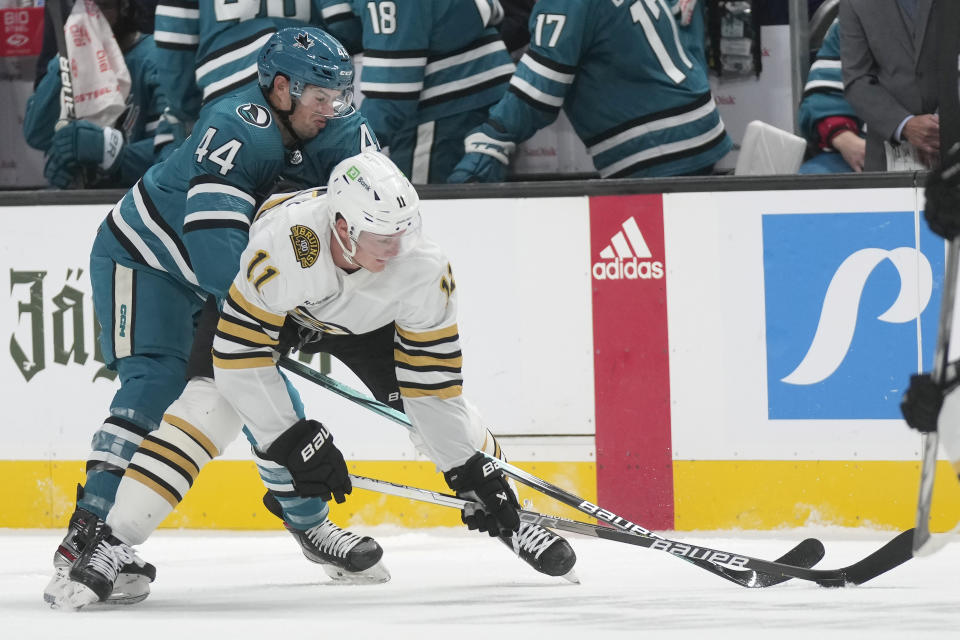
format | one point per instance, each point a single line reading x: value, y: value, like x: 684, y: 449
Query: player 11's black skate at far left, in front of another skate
x: 98, y: 568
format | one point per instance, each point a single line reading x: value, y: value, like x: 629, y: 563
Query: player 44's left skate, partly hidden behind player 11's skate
x: 131, y: 587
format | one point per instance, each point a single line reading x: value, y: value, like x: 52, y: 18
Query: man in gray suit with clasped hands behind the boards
x: 888, y: 55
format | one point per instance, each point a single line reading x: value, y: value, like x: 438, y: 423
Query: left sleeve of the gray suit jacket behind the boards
x: 873, y: 103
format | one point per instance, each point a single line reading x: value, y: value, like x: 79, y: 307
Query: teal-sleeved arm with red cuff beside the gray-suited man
x: 825, y: 117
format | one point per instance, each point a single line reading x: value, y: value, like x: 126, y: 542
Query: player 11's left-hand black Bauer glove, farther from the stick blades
x: 307, y: 451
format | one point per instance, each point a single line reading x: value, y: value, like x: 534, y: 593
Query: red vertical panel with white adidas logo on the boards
x: 631, y: 359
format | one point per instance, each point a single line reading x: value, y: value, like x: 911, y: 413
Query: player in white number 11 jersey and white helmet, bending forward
x: 345, y: 272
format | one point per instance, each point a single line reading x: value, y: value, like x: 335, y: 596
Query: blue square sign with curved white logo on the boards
x: 850, y: 306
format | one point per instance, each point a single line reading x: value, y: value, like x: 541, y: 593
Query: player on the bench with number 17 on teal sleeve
x: 638, y: 101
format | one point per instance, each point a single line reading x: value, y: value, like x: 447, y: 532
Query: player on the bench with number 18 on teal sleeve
x: 431, y: 68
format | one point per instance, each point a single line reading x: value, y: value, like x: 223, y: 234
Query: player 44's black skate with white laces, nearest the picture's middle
x: 346, y: 557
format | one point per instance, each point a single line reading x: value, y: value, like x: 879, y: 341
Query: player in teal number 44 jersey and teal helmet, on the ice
x: 176, y: 237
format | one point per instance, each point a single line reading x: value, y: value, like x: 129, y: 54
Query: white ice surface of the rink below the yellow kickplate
x: 452, y: 585
